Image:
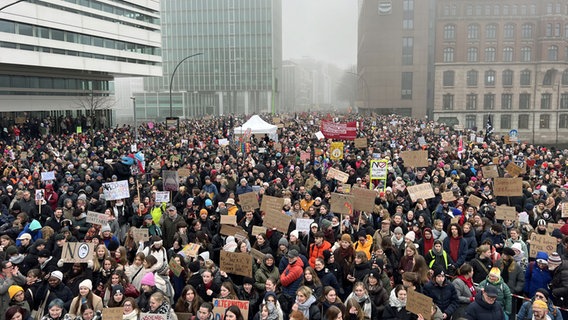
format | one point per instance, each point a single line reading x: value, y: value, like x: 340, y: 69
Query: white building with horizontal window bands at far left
x: 58, y: 55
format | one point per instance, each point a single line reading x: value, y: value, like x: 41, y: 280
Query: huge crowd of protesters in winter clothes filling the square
x: 354, y: 266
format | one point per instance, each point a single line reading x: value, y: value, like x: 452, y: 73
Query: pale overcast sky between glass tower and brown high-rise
x: 322, y: 29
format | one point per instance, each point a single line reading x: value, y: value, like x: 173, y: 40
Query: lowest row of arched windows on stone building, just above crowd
x: 523, y: 121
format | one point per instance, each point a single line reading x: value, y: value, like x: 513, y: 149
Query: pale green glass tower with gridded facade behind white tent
x: 237, y: 64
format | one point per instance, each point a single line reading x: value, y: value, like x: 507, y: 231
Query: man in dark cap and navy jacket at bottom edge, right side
x: 485, y: 306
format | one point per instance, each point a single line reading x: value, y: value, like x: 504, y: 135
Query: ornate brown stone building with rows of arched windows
x: 507, y: 60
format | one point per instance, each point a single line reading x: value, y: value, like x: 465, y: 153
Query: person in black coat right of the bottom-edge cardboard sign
x: 442, y: 292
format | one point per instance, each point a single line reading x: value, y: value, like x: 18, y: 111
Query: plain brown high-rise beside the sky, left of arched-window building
x: 395, y: 57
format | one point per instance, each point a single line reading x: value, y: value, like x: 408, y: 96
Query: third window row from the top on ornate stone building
x: 508, y: 54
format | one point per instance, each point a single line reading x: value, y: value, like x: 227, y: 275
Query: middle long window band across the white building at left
x: 73, y: 37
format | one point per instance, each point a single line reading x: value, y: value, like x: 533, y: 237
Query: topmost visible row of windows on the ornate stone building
x: 504, y: 10
